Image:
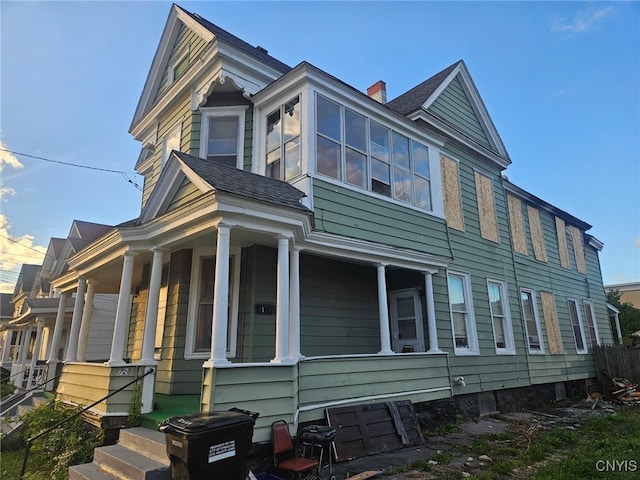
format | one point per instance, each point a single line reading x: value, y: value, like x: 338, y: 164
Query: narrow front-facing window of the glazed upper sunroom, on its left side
x: 283, y: 141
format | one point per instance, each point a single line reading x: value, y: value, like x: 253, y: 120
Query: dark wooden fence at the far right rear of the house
x: 617, y: 361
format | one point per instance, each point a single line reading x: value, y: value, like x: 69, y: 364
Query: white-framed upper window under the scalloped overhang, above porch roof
x: 222, y: 135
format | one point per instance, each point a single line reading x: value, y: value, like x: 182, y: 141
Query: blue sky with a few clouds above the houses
x: 561, y: 81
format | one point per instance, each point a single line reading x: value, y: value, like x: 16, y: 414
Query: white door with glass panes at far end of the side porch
x: 406, y: 321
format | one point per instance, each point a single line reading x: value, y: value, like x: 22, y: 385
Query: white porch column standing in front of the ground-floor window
x: 219, y: 324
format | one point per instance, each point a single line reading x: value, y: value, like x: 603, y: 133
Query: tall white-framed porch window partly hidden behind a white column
x: 201, y: 298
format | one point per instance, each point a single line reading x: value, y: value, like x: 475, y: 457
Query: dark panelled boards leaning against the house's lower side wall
x: 369, y: 429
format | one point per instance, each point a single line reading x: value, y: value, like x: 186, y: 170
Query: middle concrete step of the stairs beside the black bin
x: 127, y: 464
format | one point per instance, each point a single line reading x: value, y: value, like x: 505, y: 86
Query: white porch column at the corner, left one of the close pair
x: 282, y: 303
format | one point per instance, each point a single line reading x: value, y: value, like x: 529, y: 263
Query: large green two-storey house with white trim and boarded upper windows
x: 302, y: 245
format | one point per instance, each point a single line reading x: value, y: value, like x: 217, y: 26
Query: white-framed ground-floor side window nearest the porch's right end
x: 465, y: 339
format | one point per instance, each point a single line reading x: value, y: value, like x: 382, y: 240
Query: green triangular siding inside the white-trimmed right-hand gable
x: 453, y: 107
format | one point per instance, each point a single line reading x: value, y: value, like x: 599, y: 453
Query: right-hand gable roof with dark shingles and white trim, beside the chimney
x: 416, y: 104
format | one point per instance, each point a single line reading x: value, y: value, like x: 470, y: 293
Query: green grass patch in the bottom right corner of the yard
x: 603, y: 447
